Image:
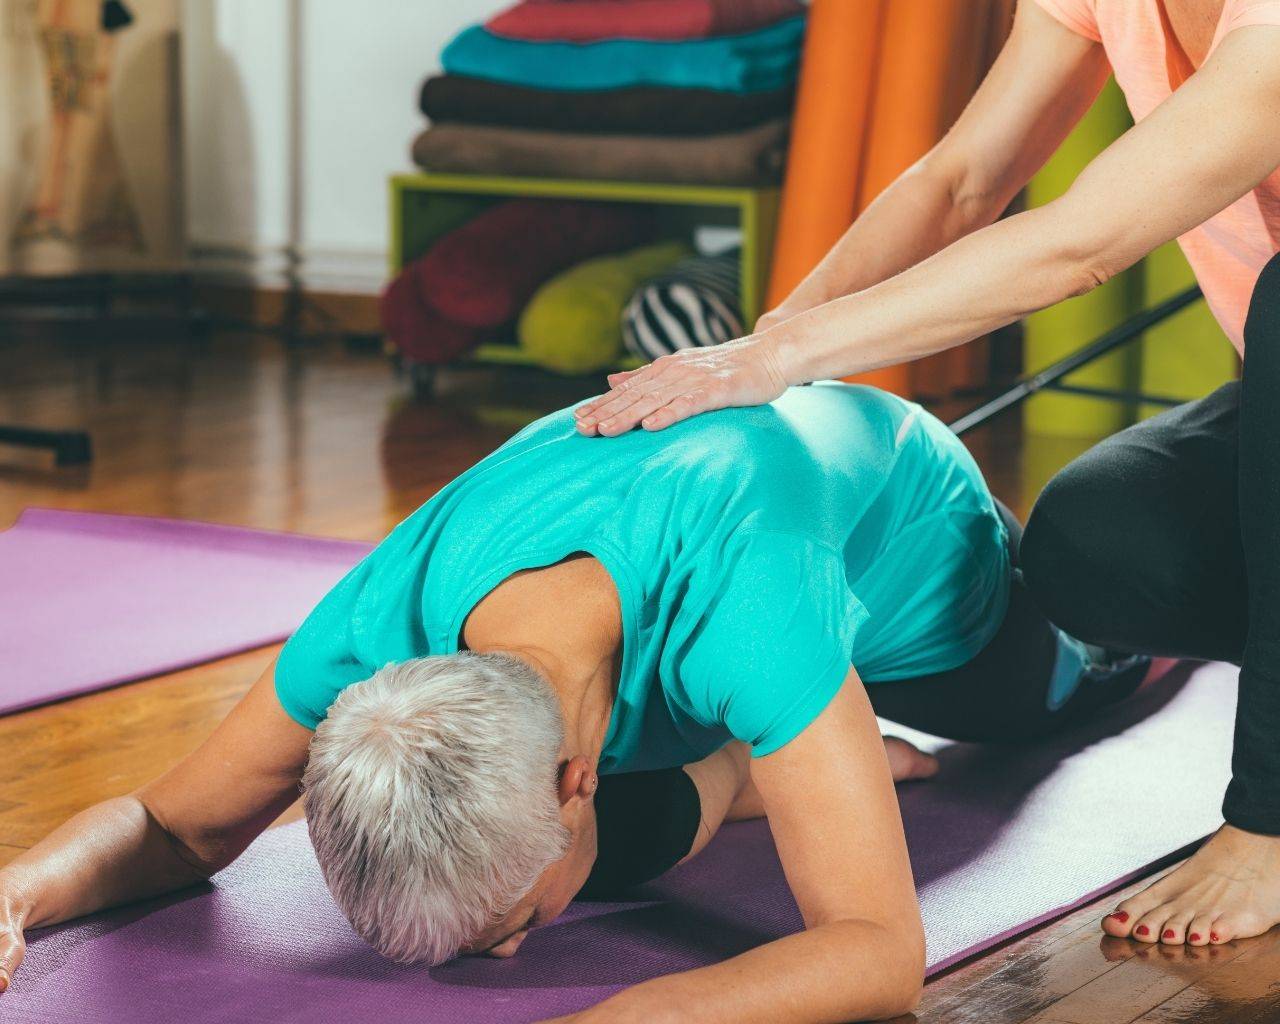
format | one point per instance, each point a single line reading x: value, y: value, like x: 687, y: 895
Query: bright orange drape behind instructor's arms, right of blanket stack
x: 880, y: 85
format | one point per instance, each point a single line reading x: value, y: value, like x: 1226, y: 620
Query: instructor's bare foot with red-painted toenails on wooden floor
x: 1231, y: 889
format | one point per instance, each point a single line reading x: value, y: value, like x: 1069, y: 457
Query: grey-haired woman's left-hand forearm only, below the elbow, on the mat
x: 112, y: 854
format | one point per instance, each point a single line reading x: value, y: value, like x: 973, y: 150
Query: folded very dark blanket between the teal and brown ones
x: 639, y: 111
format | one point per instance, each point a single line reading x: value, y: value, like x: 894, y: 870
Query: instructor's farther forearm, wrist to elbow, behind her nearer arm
x: 921, y: 213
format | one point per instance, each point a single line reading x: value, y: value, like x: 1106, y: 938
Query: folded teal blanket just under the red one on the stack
x: 753, y: 62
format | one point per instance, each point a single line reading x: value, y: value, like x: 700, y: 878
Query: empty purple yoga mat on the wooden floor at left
x: 92, y: 601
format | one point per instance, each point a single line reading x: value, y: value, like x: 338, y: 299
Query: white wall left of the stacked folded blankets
x: 355, y: 115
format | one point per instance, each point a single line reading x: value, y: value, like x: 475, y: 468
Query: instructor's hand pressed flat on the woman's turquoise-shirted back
x: 743, y: 373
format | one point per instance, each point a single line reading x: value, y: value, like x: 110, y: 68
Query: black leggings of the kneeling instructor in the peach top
x: 1165, y: 540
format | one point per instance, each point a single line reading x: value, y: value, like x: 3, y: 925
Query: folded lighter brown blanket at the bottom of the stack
x: 752, y: 157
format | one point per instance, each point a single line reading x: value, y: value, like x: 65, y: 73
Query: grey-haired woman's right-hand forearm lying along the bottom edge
x: 844, y: 971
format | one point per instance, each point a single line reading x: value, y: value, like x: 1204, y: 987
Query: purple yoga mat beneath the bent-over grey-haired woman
x: 1002, y: 840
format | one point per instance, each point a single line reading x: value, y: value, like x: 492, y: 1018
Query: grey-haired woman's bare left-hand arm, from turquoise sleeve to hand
x: 177, y: 831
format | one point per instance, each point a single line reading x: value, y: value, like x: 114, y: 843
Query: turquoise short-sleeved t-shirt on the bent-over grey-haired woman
x: 757, y: 552
